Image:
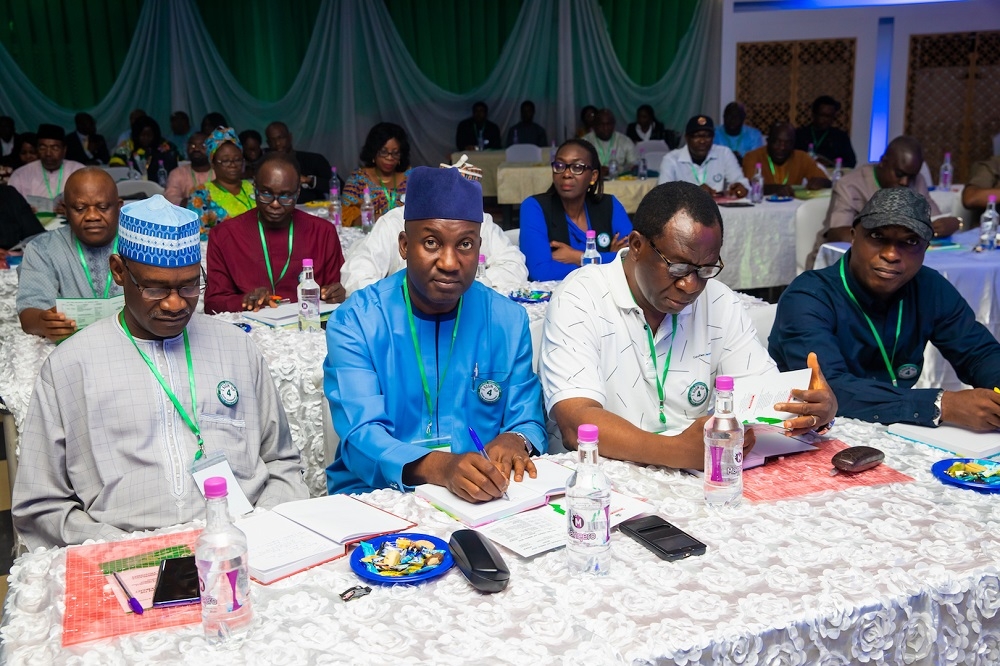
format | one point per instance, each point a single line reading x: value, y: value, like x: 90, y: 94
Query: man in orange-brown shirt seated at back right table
x: 781, y: 165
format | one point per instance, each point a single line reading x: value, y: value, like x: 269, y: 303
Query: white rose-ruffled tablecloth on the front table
x: 900, y: 574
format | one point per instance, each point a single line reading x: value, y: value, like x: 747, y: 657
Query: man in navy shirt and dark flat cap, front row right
x: 870, y: 316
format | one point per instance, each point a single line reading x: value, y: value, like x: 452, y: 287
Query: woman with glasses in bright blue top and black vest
x: 554, y: 225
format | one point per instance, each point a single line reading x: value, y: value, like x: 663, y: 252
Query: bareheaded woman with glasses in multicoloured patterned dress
x: 386, y: 160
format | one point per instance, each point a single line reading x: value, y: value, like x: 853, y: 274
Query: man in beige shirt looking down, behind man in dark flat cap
x: 899, y: 167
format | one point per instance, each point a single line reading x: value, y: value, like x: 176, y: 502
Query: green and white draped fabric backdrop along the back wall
x: 332, y: 68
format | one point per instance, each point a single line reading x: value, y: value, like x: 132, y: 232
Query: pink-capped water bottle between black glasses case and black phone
x: 588, y: 509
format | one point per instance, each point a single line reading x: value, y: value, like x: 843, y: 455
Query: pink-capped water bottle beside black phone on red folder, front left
x: 221, y: 556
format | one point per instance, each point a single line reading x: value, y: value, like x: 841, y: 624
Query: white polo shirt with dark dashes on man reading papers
x: 595, y: 345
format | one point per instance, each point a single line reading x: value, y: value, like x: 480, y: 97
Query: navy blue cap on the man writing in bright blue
x: 442, y: 194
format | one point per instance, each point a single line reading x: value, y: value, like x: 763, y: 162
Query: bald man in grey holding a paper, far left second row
x: 72, y: 261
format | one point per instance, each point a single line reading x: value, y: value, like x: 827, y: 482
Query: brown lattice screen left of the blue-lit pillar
x: 779, y: 80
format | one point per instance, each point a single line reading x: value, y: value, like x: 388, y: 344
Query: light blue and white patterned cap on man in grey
x: 157, y: 233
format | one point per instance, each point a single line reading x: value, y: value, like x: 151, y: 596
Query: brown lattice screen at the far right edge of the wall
x: 953, y: 97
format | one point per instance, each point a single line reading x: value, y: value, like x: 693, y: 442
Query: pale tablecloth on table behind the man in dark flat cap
x: 976, y: 275
